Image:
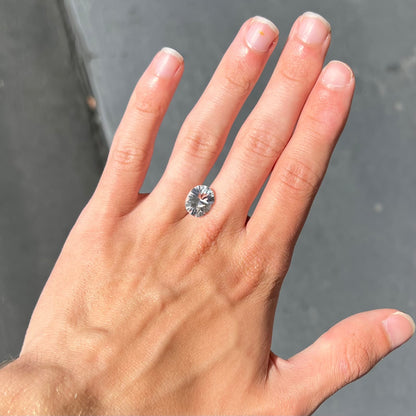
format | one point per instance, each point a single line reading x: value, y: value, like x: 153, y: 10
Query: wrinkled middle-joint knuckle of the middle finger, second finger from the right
x: 262, y: 142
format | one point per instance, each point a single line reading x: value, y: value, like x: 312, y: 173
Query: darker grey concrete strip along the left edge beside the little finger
x: 48, y: 161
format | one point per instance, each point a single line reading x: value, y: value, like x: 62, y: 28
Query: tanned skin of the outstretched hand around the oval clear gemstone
x: 149, y: 310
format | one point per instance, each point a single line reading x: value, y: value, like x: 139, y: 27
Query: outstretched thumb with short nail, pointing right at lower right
x: 345, y: 353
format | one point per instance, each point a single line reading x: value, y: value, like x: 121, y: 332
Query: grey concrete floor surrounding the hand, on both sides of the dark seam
x: 358, y: 248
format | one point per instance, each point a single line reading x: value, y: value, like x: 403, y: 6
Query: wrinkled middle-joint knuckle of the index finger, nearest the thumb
x: 299, y: 179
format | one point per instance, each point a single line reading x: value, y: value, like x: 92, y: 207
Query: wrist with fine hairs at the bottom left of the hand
x: 29, y: 387
